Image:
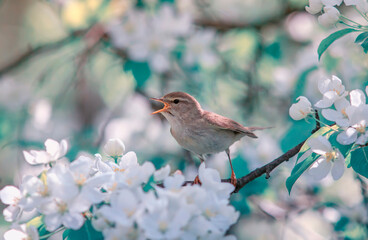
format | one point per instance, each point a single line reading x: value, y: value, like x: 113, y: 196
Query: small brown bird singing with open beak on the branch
x: 200, y: 131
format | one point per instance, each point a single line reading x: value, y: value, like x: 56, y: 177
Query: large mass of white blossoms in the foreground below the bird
x: 111, y: 194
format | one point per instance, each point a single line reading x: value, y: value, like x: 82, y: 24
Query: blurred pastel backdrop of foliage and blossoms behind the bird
x: 85, y: 70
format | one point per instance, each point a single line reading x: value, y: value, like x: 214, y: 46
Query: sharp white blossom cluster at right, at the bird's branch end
x: 350, y: 126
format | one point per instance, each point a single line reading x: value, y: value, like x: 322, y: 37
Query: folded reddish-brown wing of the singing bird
x: 227, y: 124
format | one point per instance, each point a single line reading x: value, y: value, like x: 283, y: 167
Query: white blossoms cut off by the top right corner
x: 330, y: 14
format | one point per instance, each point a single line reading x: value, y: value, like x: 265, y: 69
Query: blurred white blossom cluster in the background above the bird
x: 154, y: 37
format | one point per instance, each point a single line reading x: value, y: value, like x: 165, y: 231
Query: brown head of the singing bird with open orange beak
x: 179, y: 105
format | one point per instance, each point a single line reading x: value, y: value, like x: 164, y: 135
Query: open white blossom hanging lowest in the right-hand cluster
x: 330, y: 160
